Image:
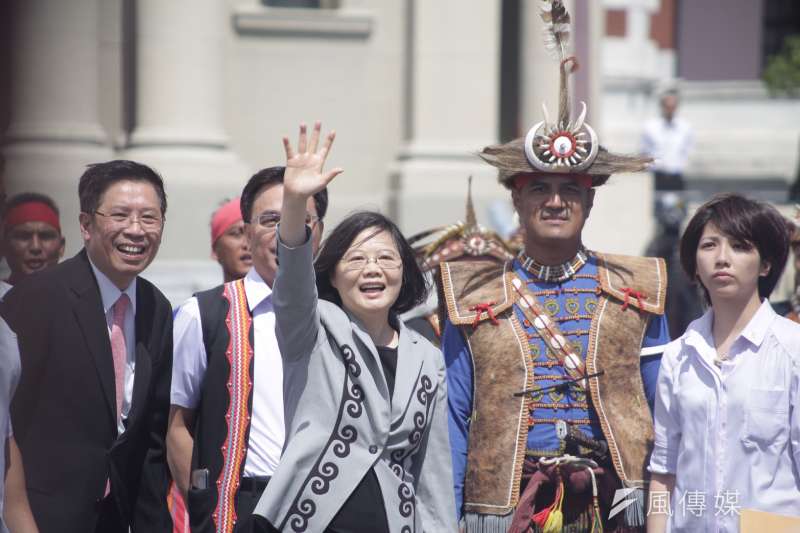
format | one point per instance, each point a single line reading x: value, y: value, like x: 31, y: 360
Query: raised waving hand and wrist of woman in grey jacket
x: 304, y: 177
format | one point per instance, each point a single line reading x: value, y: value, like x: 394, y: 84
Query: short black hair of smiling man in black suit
x: 98, y: 177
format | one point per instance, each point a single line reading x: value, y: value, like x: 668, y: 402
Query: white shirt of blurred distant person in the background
x: 668, y: 143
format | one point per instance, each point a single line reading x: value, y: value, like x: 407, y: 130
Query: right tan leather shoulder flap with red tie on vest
x: 641, y: 282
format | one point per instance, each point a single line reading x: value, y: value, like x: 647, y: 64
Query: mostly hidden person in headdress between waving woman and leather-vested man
x: 462, y: 241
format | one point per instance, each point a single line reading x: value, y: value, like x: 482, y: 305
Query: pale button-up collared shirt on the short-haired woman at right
x: 731, y: 435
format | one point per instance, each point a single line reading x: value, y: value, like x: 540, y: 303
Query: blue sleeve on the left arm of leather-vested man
x: 459, y: 403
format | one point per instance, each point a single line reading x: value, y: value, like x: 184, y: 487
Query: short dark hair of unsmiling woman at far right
x: 744, y: 220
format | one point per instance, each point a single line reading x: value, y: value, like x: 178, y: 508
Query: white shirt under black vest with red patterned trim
x: 267, y: 431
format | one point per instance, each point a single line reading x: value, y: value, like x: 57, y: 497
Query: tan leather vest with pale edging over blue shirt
x: 633, y: 289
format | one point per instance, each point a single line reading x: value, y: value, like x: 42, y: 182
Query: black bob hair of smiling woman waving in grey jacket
x: 414, y: 288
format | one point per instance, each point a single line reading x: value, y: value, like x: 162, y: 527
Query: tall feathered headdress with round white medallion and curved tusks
x: 563, y: 146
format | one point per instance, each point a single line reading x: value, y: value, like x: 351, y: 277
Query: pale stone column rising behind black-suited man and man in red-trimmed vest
x: 179, y: 129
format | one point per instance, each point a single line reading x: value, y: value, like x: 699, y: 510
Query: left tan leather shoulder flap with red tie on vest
x: 471, y: 288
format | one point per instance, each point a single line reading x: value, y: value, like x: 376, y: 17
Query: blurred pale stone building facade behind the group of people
x: 203, y: 90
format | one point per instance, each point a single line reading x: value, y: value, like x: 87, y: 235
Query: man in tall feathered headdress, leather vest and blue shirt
x: 552, y: 358
